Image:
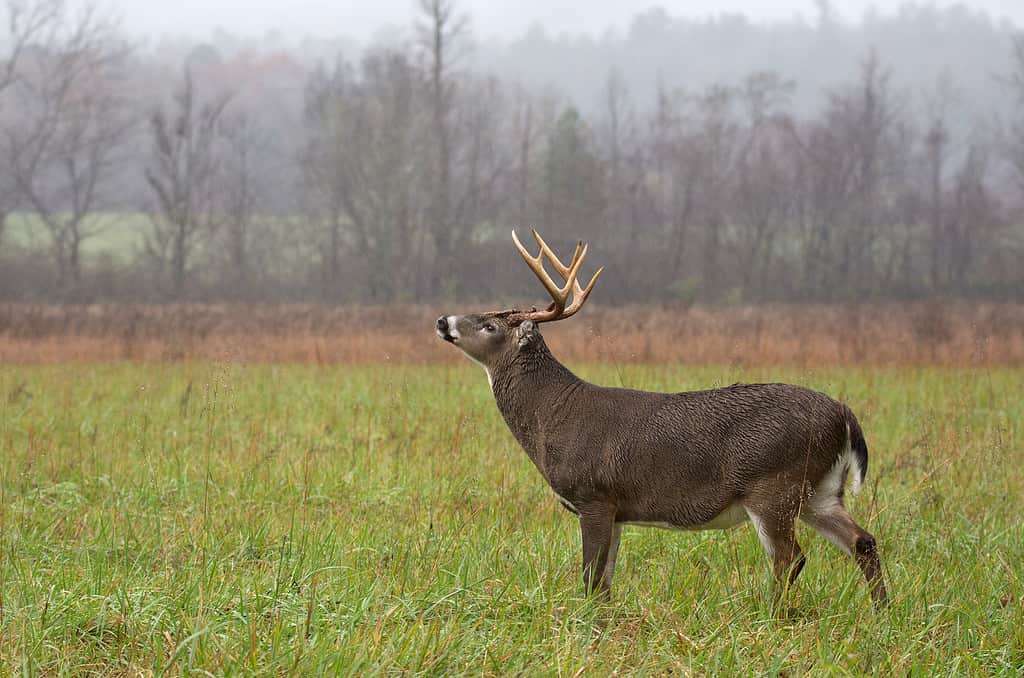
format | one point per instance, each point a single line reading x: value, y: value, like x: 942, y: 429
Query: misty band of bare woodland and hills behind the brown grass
x: 717, y: 161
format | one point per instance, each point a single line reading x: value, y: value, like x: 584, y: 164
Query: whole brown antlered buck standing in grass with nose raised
x: 700, y: 460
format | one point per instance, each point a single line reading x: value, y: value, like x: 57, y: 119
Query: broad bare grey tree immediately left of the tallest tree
x: 362, y: 163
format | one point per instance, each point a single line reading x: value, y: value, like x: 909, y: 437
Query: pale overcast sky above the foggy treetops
x: 361, y: 19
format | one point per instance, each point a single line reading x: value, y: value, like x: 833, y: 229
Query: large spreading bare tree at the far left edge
x: 75, y: 118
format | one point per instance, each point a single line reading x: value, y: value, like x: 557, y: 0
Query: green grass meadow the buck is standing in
x: 230, y: 520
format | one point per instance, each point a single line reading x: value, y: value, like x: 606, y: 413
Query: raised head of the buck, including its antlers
x: 489, y: 338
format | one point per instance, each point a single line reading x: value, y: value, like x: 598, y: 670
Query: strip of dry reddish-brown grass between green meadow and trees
x: 953, y: 334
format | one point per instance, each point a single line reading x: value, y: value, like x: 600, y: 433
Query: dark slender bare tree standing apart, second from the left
x: 183, y: 174
